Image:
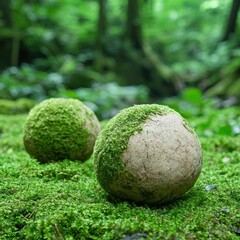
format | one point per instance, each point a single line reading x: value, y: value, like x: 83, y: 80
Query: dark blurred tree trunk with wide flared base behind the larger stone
x: 137, y: 63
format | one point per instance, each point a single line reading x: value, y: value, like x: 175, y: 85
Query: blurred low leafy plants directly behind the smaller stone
x: 87, y: 85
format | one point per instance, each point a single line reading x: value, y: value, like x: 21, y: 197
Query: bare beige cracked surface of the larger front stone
x: 162, y: 162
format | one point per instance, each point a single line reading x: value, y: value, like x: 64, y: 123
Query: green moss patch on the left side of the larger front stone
x: 113, y: 139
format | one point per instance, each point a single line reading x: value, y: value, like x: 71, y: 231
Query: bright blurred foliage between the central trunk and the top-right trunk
x: 185, y: 39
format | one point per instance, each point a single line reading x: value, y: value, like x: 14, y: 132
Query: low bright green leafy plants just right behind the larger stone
x: 191, y: 104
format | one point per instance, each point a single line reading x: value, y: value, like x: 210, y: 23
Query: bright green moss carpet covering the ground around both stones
x: 64, y: 201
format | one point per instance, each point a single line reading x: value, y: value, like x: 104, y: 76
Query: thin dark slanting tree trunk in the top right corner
x: 232, y: 20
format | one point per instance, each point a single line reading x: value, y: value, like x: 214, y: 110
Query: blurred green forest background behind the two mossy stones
x: 114, y: 53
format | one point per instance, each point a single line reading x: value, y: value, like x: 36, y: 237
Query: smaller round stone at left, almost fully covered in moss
x: 60, y: 128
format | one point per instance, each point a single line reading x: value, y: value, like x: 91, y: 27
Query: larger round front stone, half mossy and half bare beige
x: 147, y: 154
